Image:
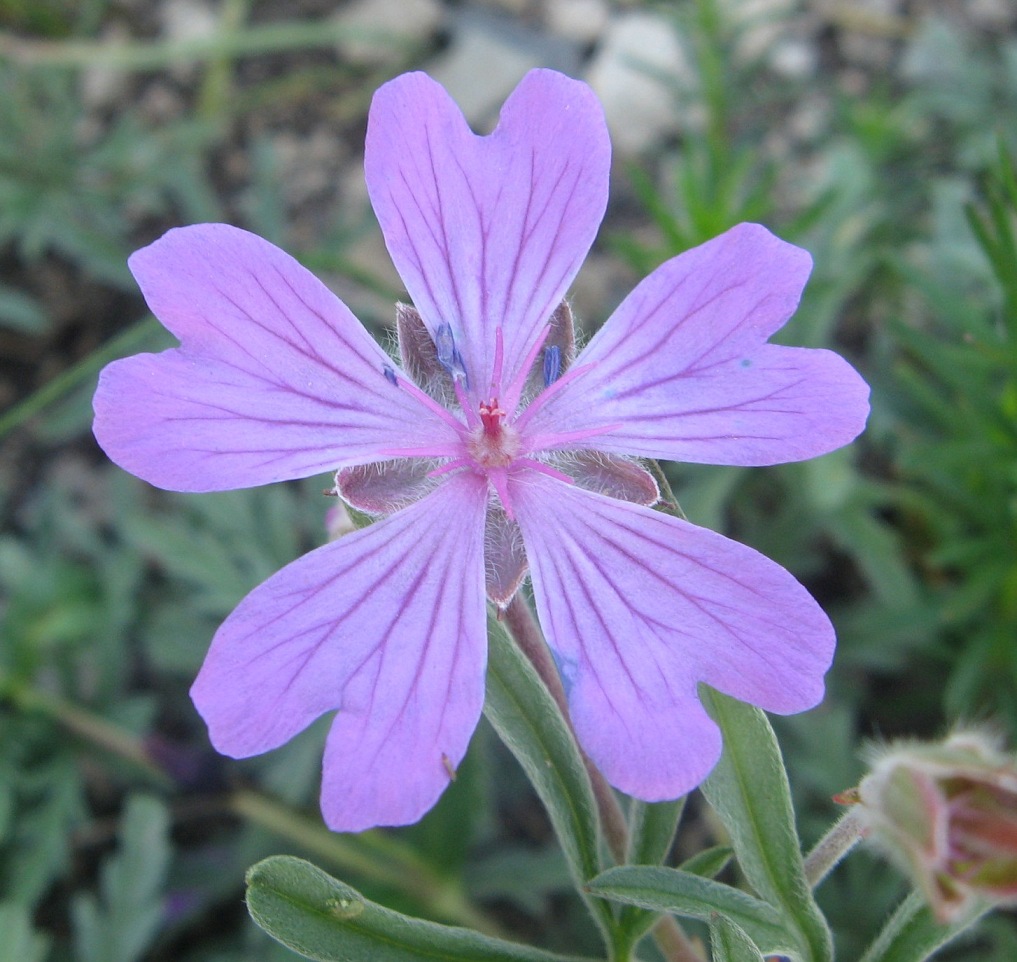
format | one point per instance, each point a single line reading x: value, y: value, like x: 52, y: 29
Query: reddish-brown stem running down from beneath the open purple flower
x: 671, y: 938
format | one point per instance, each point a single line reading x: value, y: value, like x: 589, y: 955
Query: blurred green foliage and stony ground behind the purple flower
x: 879, y: 135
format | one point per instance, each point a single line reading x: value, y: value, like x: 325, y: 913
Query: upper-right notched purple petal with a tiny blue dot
x: 682, y: 370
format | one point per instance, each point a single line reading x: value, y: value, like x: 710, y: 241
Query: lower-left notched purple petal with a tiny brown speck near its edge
x: 389, y: 626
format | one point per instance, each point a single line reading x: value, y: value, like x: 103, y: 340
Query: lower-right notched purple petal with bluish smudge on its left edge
x: 639, y: 608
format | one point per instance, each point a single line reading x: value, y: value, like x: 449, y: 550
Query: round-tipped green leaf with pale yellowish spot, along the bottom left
x: 323, y: 919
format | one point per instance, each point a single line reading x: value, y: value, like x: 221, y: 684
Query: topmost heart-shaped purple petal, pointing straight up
x: 489, y: 232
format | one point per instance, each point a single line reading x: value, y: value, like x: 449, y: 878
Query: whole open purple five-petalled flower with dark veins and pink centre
x: 489, y: 449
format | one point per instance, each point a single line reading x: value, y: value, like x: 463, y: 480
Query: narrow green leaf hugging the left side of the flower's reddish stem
x: 529, y: 723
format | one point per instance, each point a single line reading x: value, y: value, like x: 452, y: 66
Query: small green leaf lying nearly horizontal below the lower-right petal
x: 671, y: 890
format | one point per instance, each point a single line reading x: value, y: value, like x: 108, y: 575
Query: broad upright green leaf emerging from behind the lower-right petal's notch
x: 749, y: 791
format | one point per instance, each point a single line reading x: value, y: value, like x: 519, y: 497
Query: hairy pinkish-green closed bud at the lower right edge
x: 947, y: 814
